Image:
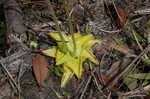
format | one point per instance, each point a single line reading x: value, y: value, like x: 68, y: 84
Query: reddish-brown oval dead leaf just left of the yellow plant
x: 40, y: 68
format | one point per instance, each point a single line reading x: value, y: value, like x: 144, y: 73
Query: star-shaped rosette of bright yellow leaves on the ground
x: 70, y: 60
